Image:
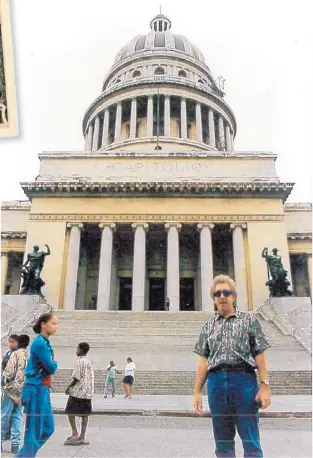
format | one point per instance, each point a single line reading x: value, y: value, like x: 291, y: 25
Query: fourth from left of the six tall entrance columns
x: 172, y: 273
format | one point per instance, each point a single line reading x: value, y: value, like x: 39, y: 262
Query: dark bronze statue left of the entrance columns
x: 31, y: 270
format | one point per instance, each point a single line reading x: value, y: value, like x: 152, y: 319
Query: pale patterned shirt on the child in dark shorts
x: 84, y: 373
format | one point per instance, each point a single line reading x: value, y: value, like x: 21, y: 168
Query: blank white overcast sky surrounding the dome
x: 64, y: 48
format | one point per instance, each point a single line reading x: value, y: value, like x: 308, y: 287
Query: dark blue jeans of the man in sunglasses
x: 232, y: 404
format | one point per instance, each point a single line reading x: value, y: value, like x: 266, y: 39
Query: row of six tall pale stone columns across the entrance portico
x: 139, y: 265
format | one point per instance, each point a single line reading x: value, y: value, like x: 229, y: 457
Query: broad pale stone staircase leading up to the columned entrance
x: 161, y: 344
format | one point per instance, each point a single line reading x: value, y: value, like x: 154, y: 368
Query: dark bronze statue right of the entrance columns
x: 278, y: 283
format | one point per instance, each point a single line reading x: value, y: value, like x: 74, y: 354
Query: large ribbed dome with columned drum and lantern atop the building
x: 159, y: 90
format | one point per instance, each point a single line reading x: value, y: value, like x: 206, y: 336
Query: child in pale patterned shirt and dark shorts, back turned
x: 80, y: 391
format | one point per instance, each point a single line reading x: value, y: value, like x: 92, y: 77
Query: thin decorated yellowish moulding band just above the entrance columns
x: 130, y: 218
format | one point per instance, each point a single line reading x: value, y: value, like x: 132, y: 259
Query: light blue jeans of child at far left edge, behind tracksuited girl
x: 14, y: 412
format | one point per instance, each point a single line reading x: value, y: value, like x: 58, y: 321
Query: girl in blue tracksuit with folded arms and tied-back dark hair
x: 39, y: 425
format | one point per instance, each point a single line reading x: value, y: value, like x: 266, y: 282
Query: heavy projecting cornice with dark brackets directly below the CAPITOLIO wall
x: 158, y: 189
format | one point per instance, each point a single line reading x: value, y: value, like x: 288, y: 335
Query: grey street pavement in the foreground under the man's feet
x: 143, y: 437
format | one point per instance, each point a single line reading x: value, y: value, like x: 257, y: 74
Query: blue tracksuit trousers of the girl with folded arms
x: 39, y: 419
